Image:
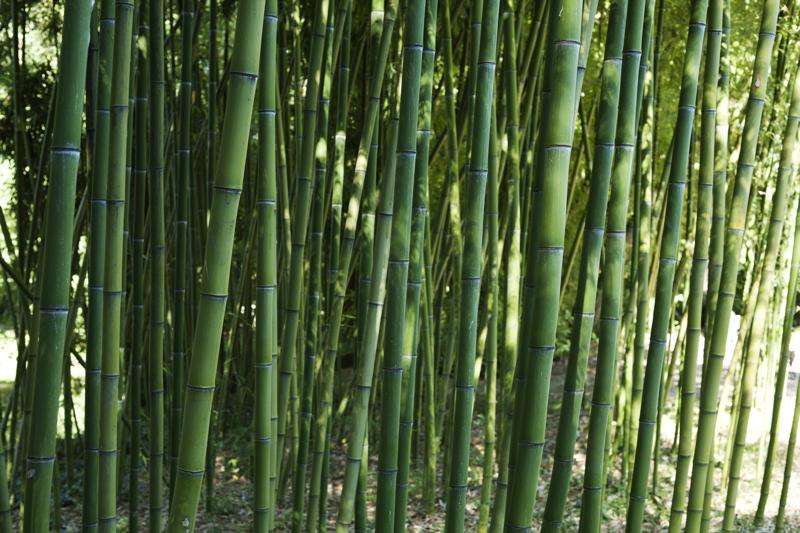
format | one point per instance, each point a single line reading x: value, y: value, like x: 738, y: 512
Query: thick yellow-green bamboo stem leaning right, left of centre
x: 213, y: 295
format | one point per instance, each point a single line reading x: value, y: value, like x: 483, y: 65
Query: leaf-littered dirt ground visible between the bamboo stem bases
x: 233, y: 488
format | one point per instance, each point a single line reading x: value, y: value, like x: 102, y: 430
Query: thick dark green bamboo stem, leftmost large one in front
x: 57, y: 260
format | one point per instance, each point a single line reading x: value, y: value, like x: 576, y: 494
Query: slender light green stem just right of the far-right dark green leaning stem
x: 699, y: 265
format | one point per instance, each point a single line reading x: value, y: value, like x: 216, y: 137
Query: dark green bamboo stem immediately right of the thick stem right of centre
x: 585, y: 302
